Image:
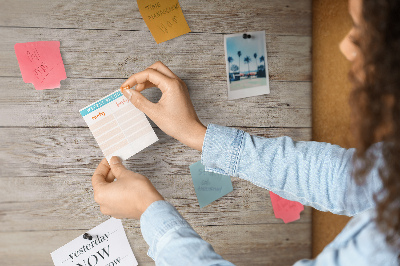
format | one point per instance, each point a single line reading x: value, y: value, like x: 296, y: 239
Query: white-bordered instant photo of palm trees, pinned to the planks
x: 246, y: 64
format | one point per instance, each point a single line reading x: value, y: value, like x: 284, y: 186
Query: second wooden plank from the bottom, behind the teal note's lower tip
x: 67, y: 203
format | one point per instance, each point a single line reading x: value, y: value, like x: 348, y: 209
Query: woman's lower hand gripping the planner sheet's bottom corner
x: 128, y: 196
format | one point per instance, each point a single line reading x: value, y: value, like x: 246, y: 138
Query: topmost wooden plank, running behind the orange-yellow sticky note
x: 224, y: 16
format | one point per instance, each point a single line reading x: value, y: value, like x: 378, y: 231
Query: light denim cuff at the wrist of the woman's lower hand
x: 156, y: 221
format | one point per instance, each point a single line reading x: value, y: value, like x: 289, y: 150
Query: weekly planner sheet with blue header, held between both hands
x: 118, y: 126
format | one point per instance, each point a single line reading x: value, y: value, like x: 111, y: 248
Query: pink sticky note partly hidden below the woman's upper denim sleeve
x: 284, y: 209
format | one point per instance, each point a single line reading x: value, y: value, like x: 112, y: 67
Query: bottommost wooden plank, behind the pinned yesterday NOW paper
x: 267, y: 244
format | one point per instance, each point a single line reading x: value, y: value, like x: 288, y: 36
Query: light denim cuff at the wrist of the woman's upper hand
x: 222, y: 148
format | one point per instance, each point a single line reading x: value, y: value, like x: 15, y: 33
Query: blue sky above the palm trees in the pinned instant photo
x: 248, y: 47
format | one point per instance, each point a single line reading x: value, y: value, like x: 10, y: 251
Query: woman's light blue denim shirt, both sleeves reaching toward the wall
x: 312, y: 173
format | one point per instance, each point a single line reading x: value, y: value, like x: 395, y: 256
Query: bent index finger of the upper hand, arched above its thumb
x: 148, y: 75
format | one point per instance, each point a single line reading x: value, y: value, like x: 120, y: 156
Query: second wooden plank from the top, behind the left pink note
x: 116, y: 54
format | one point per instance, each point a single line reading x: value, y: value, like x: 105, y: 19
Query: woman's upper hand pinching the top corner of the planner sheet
x: 173, y: 113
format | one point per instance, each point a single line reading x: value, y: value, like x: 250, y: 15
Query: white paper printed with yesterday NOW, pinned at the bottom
x: 108, y: 246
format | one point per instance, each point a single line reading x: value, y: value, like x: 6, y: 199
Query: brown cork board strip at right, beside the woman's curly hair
x: 331, y: 89
